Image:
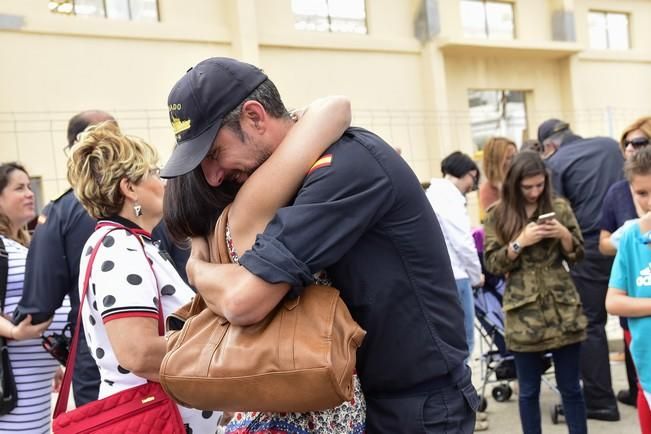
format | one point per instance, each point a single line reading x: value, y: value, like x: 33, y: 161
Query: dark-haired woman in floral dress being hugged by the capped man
x: 321, y: 124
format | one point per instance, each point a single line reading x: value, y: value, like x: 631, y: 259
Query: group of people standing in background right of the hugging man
x: 552, y: 228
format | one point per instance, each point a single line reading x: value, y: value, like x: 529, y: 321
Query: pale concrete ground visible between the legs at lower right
x: 503, y: 417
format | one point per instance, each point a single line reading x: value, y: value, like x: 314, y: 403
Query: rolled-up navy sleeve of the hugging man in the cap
x: 335, y: 206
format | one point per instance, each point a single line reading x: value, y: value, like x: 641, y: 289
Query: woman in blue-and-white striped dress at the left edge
x: 33, y: 368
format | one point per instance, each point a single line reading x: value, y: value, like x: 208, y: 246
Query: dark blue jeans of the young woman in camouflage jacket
x: 530, y: 367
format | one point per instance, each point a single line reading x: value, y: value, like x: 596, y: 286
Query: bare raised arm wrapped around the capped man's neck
x: 322, y: 123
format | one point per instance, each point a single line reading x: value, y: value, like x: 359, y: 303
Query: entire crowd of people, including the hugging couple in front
x: 128, y: 245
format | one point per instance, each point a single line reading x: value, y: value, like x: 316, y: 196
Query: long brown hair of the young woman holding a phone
x: 510, y: 214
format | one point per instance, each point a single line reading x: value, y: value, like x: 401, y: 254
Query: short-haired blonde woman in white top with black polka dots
x: 116, y: 180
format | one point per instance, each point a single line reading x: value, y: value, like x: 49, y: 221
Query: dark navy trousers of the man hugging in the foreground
x: 446, y: 409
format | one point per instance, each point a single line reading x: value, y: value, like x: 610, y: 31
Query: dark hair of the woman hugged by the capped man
x: 191, y: 206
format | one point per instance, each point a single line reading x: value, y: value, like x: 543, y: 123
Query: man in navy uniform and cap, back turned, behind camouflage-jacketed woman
x: 582, y: 171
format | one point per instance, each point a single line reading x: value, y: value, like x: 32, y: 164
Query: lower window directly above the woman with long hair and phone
x: 497, y: 113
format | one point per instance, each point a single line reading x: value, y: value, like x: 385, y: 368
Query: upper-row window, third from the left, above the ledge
x: 487, y: 19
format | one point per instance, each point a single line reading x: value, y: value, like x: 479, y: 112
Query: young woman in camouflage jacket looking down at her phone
x: 541, y: 304
